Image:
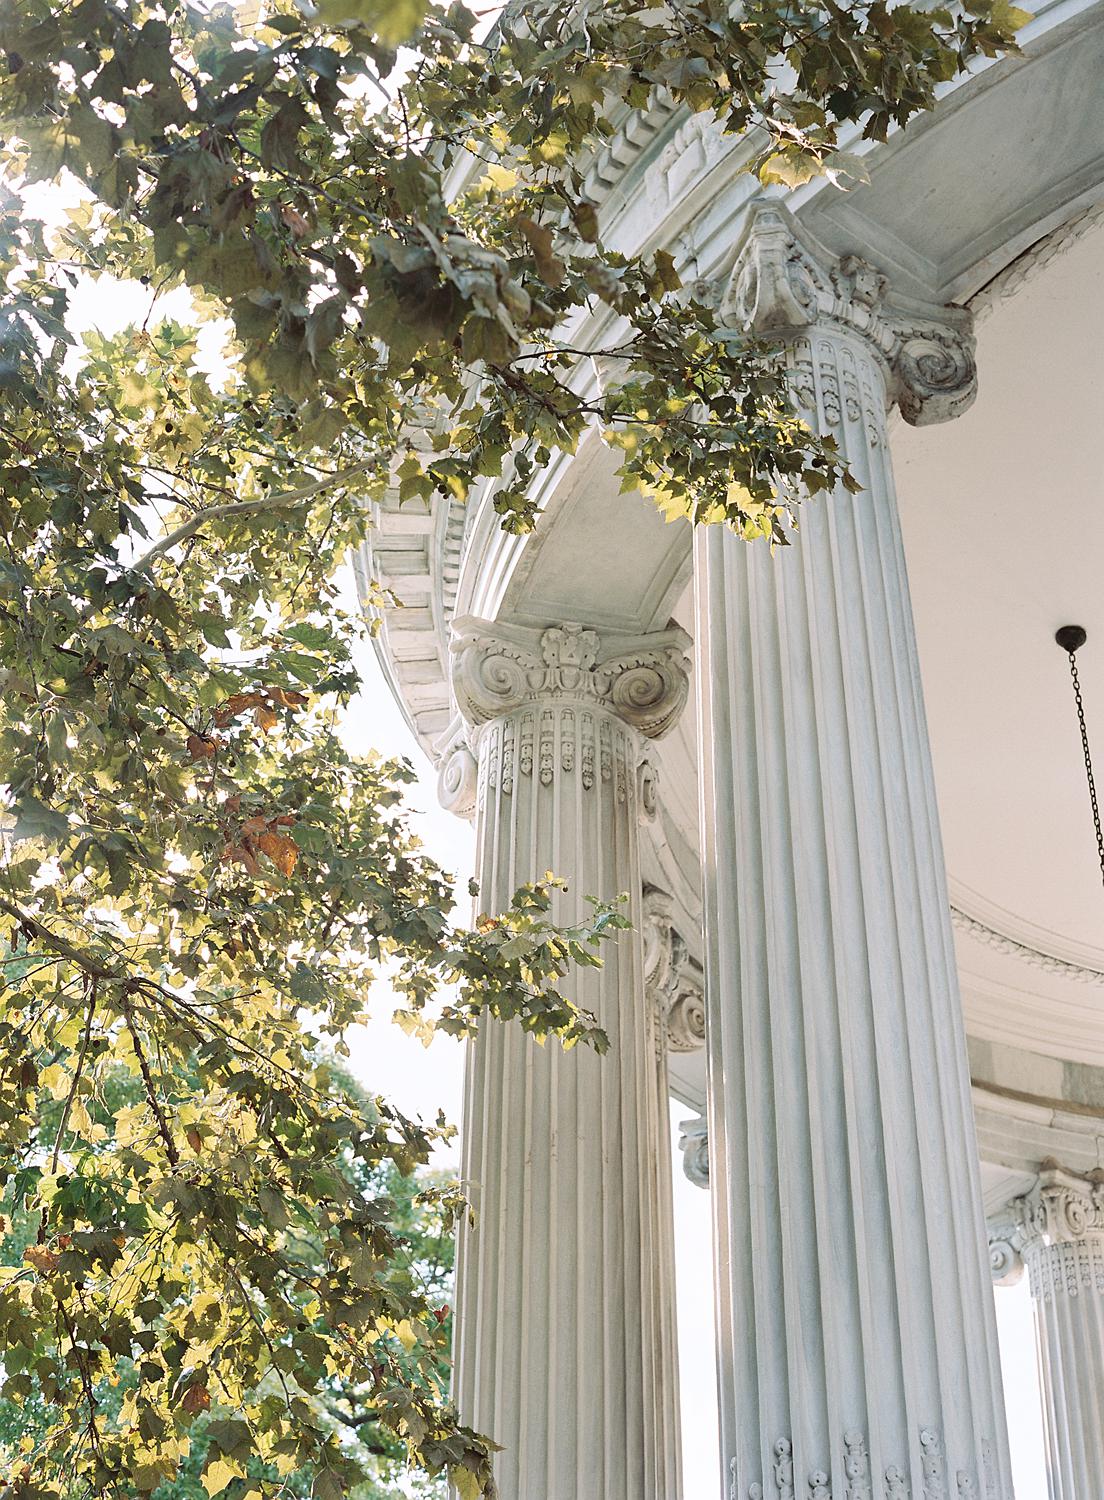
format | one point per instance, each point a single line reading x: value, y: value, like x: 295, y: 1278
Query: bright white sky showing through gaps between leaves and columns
x: 422, y: 1081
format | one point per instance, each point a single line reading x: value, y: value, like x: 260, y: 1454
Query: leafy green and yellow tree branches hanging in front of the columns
x: 385, y: 221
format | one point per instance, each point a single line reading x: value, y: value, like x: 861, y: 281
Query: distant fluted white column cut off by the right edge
x: 1058, y: 1232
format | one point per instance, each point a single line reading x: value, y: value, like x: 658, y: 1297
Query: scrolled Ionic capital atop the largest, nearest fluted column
x: 785, y: 283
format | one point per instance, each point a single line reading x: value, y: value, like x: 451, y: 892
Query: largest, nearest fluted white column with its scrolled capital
x: 857, y: 1340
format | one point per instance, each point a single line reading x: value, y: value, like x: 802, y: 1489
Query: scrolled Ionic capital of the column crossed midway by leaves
x: 499, y: 670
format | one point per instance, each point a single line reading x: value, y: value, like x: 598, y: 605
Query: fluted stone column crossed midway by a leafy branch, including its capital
x: 566, y: 1304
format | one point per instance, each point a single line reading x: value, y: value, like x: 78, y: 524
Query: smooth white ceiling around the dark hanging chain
x: 1004, y: 532
